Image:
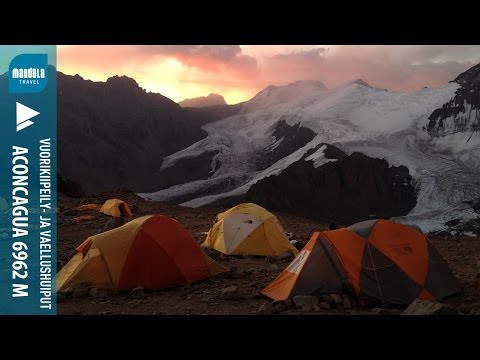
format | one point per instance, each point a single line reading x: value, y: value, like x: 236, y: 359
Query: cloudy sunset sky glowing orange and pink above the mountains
x: 239, y: 72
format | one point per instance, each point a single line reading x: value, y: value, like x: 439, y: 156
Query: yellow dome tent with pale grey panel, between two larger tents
x: 248, y: 229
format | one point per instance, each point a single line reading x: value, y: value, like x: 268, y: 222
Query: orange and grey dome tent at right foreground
x: 380, y: 261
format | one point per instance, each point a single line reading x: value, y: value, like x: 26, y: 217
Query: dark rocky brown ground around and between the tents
x: 238, y: 291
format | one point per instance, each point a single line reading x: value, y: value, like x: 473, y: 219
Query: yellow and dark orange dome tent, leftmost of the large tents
x: 153, y: 251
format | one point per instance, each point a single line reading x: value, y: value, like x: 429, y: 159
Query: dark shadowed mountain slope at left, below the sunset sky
x: 115, y: 134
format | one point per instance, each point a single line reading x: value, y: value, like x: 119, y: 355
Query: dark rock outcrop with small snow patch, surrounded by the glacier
x: 342, y: 188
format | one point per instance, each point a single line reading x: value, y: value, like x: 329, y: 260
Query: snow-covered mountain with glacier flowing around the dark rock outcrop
x: 280, y: 125
